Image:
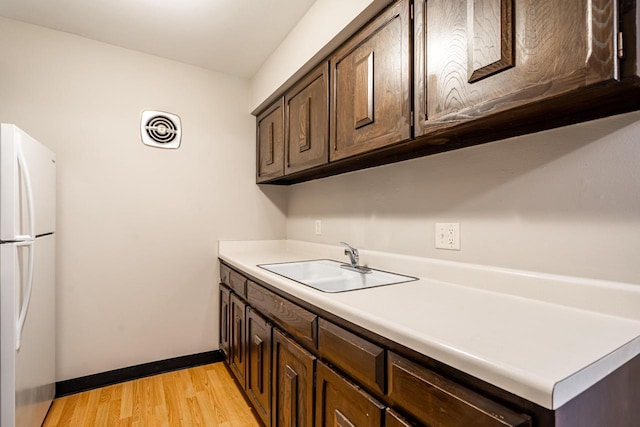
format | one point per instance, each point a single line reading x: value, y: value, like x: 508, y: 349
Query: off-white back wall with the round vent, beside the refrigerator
x: 137, y: 226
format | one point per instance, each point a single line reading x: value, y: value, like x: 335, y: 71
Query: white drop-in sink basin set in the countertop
x: 328, y: 276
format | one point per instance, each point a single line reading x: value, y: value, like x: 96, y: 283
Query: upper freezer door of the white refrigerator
x: 27, y: 186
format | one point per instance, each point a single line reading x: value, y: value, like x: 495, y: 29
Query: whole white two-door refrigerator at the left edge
x: 27, y: 268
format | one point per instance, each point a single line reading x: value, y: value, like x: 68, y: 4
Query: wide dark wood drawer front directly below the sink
x: 294, y: 319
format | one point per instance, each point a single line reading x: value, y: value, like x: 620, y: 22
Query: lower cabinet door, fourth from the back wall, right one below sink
x: 292, y: 378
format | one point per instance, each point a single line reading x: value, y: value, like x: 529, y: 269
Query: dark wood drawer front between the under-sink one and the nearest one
x: 363, y: 360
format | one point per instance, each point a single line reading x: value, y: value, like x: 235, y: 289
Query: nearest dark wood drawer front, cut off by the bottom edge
x: 435, y: 400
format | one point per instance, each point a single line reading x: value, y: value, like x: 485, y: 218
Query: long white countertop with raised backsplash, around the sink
x: 543, y: 337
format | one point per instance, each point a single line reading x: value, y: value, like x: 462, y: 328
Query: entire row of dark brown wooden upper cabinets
x: 427, y: 76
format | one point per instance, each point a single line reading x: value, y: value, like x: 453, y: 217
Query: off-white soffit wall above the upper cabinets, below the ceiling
x: 321, y: 30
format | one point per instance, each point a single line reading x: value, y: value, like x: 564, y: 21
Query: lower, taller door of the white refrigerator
x: 27, y: 375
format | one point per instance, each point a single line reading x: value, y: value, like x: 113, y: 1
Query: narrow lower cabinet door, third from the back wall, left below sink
x: 258, y: 379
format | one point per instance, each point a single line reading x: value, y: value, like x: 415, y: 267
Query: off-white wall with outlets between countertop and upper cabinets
x: 563, y: 201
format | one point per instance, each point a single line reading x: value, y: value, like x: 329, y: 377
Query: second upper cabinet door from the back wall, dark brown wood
x: 307, y: 121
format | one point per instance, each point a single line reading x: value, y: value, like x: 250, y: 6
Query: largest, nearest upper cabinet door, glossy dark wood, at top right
x: 475, y: 58
